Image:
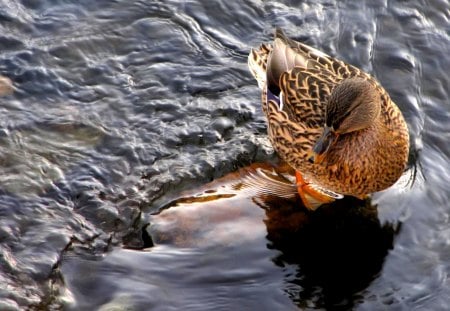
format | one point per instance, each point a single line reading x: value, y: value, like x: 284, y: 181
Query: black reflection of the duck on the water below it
x: 336, y: 252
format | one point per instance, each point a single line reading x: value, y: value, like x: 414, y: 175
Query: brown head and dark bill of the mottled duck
x: 353, y: 105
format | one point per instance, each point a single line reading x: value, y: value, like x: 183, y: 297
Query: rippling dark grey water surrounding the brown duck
x: 120, y: 106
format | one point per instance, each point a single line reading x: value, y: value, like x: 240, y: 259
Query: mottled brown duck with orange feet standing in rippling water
x: 331, y: 122
